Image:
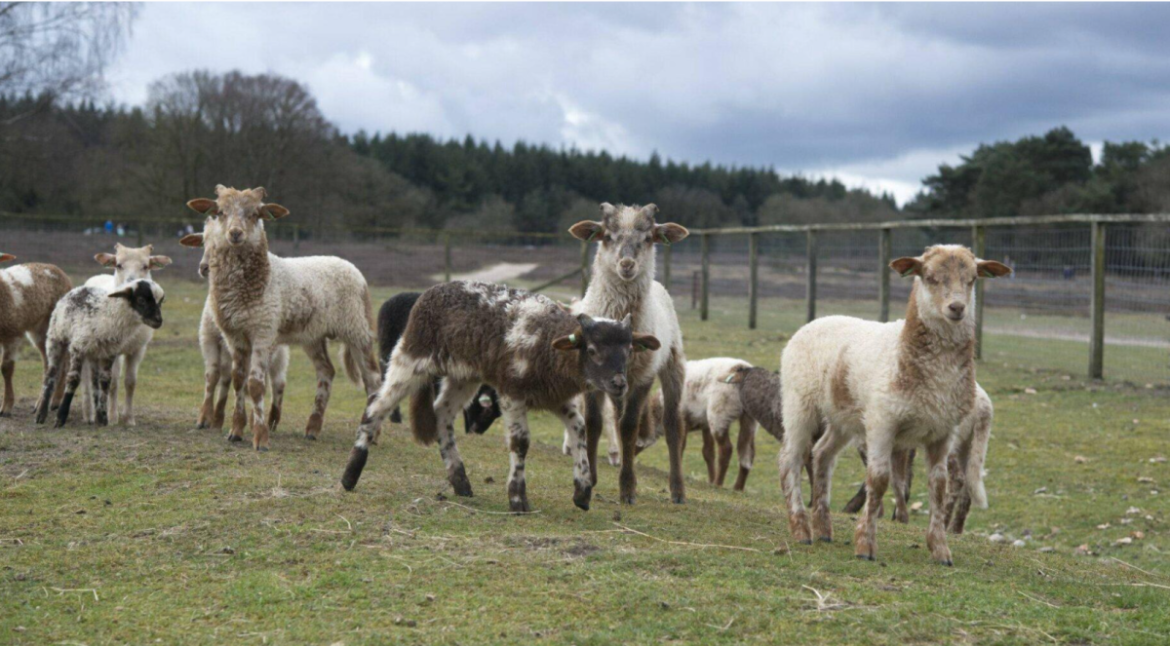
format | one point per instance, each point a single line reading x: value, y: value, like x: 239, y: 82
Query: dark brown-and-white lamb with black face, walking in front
x: 535, y: 354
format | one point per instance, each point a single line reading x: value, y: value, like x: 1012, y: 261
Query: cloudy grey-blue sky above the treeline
x: 876, y: 95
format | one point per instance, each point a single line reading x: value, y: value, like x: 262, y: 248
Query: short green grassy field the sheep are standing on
x: 168, y: 535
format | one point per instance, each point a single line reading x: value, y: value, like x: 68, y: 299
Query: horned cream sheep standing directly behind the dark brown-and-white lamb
x: 622, y: 284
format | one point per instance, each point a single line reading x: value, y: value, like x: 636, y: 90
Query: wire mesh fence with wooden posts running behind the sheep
x: 1041, y: 319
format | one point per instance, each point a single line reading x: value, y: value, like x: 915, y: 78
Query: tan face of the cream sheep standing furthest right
x: 946, y: 280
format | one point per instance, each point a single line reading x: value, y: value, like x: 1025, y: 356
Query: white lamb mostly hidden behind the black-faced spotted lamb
x: 129, y: 265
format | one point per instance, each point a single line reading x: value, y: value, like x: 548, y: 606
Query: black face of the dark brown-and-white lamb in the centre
x: 604, y: 347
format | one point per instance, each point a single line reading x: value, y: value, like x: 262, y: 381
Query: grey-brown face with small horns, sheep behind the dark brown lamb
x: 628, y: 236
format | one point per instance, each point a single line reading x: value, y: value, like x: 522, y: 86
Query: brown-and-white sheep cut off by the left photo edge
x: 29, y: 293
